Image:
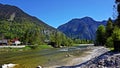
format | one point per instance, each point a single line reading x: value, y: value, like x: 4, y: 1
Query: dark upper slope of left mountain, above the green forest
x: 13, y: 13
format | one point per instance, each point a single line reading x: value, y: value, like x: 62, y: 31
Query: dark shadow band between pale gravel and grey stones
x: 93, y: 60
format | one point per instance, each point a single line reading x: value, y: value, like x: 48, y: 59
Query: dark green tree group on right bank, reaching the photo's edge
x: 109, y: 35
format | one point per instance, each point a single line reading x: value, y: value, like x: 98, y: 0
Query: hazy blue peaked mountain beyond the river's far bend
x: 83, y: 28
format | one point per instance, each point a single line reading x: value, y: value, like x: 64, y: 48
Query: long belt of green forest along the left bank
x: 30, y: 33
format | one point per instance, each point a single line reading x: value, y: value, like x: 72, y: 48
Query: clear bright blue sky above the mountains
x: 58, y: 12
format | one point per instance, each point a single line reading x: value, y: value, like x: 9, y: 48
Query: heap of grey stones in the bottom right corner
x: 109, y: 60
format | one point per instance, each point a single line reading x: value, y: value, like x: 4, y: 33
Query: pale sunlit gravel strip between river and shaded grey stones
x: 74, y: 61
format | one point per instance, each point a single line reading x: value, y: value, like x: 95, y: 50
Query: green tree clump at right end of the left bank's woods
x: 59, y: 39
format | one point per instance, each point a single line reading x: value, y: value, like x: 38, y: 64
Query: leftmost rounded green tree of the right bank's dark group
x: 100, y: 35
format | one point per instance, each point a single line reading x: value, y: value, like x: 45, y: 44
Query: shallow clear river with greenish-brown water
x: 46, y: 58
